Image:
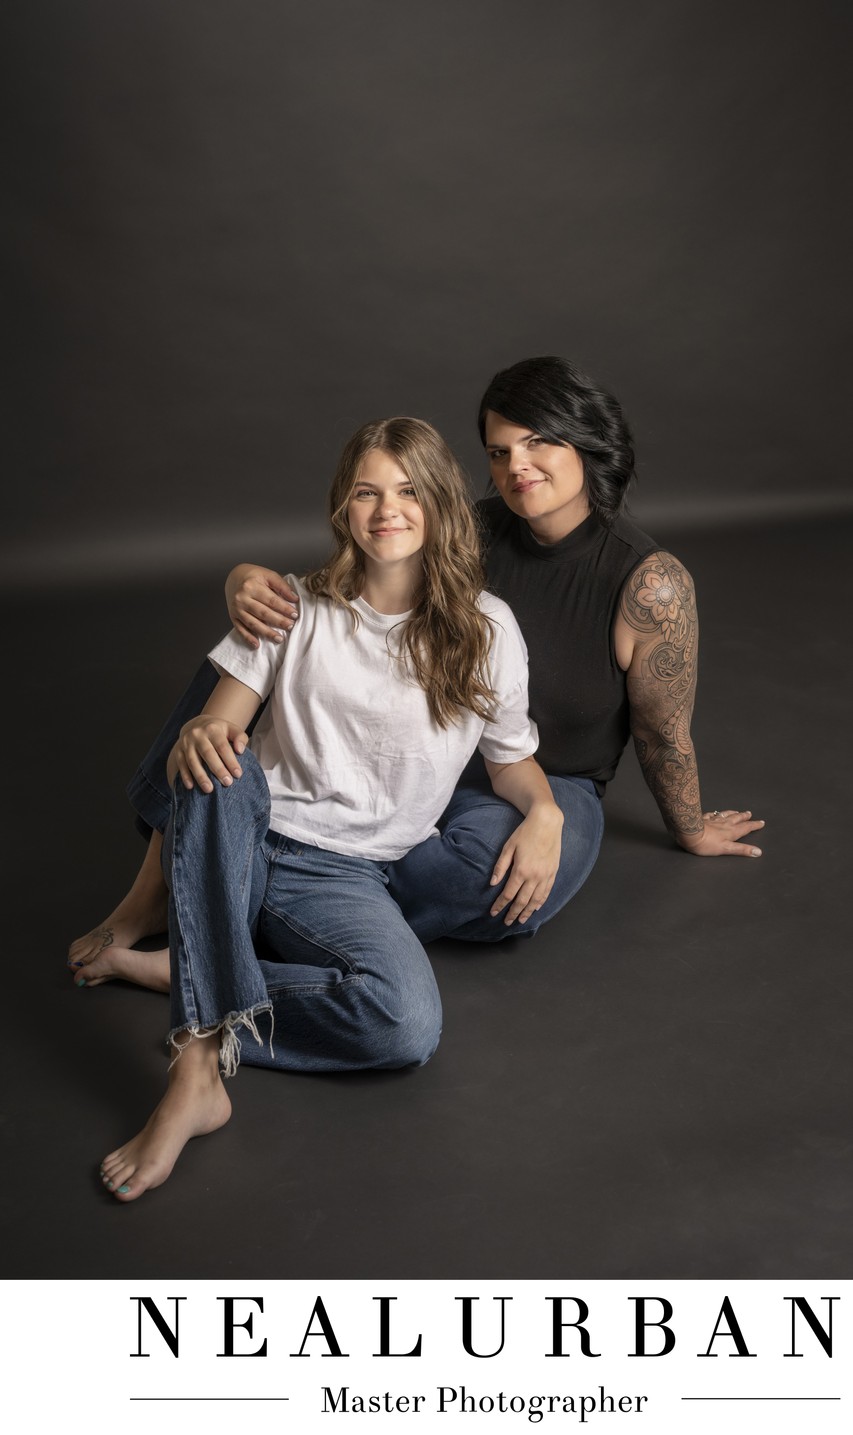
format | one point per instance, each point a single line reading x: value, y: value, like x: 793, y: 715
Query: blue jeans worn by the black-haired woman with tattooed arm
x: 442, y: 886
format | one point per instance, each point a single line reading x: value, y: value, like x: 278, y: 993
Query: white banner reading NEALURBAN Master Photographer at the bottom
x: 666, y: 1355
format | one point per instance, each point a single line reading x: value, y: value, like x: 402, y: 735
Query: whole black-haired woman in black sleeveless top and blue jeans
x: 611, y: 626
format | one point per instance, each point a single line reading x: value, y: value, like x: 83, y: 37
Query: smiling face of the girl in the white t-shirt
x: 386, y: 519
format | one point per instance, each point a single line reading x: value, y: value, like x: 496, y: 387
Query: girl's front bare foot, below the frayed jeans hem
x: 195, y: 1106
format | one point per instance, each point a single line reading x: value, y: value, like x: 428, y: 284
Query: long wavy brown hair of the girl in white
x: 446, y: 641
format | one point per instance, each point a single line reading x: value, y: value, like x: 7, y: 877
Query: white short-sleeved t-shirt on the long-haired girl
x: 354, y: 760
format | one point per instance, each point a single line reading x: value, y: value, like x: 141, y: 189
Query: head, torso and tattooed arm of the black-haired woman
x: 610, y: 618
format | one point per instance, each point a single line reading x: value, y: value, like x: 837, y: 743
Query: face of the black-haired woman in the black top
x: 542, y: 483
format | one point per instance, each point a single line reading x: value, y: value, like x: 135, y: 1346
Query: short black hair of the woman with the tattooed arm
x: 565, y: 407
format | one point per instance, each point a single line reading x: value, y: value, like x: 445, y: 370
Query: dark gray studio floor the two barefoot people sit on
x: 658, y: 1086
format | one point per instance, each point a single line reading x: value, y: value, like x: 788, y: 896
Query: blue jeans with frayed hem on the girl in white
x: 299, y: 956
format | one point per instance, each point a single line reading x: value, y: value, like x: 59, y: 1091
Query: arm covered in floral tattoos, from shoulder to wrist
x: 660, y: 608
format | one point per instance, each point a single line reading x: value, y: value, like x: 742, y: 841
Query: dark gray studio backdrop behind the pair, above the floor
x: 242, y: 229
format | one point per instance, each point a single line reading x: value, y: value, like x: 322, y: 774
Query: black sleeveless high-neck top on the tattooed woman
x: 565, y: 598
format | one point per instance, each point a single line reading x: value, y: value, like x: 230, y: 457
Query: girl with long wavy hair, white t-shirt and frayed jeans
x: 286, y: 946
